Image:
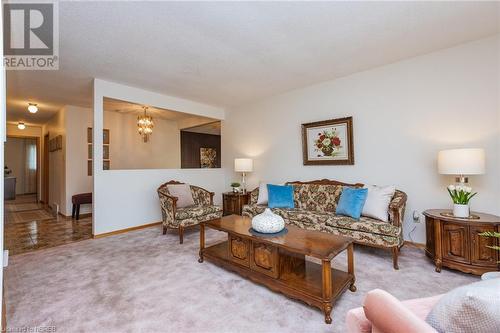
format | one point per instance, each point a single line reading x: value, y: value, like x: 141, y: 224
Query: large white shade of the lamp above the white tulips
x: 468, y: 161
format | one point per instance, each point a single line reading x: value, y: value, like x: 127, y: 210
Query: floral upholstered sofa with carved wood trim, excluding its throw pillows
x: 315, y: 205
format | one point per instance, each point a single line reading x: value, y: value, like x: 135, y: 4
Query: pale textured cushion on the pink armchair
x: 471, y: 308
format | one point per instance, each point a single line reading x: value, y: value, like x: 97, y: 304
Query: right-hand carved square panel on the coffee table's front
x: 264, y: 259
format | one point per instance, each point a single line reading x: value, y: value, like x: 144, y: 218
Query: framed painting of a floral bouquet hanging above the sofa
x: 328, y: 142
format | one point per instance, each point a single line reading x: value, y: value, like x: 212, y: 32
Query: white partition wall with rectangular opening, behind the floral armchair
x: 127, y: 198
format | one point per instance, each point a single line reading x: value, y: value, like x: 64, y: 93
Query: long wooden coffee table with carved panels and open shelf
x: 279, y: 262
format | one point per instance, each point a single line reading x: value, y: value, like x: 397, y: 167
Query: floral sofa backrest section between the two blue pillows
x: 317, y: 197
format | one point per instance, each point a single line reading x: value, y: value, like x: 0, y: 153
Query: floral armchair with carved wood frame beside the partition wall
x: 180, y: 218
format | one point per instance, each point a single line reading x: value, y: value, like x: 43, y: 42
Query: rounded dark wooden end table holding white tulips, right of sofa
x: 455, y: 242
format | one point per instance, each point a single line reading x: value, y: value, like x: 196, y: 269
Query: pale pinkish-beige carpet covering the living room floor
x: 143, y: 281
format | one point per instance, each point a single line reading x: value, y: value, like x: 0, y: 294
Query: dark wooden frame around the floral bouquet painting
x: 350, y: 159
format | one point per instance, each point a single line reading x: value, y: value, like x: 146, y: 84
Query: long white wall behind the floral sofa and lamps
x: 404, y: 113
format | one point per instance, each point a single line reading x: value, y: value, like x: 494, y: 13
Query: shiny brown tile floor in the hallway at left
x: 29, y: 227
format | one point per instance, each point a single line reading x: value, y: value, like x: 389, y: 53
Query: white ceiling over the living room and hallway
x: 228, y: 54
